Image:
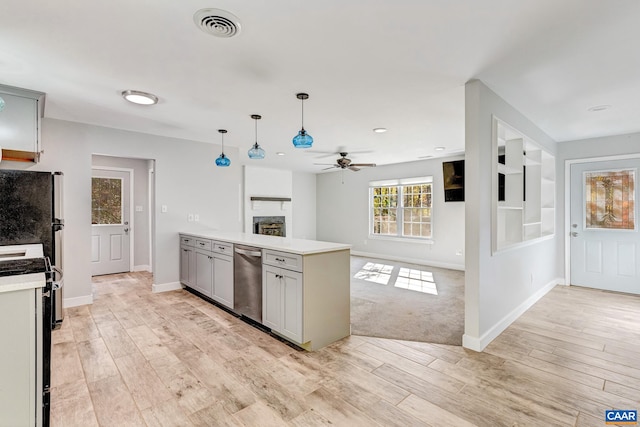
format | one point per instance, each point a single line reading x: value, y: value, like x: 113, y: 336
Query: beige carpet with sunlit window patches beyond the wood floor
x: 431, y: 310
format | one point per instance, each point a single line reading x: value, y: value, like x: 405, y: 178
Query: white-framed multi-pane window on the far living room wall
x: 401, y: 208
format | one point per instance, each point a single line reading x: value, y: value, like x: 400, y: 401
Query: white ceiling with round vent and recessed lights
x: 397, y: 64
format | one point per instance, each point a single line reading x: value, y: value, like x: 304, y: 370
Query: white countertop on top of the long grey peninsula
x: 285, y: 244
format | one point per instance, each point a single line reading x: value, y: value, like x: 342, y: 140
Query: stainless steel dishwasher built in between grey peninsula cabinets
x: 247, y: 282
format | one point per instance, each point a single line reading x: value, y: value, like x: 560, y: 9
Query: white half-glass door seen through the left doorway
x: 110, y: 229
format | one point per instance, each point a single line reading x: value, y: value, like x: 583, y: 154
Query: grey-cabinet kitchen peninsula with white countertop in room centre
x: 305, y: 286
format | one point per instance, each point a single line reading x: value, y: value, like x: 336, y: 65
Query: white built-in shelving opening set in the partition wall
x: 524, y: 192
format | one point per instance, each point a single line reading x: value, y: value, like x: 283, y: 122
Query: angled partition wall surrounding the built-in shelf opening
x: 498, y: 287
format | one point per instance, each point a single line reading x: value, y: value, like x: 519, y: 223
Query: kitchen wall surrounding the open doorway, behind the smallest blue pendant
x: 187, y: 181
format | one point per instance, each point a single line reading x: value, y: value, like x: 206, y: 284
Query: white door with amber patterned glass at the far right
x: 605, y: 242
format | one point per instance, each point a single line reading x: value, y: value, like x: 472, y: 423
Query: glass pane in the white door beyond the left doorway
x: 106, y: 201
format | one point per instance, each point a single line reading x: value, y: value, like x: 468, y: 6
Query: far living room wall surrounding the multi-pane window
x: 343, y: 215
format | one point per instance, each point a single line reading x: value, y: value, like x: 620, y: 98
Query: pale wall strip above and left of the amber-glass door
x: 619, y: 145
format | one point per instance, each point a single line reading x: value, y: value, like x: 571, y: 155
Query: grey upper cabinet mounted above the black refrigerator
x: 20, y: 114
